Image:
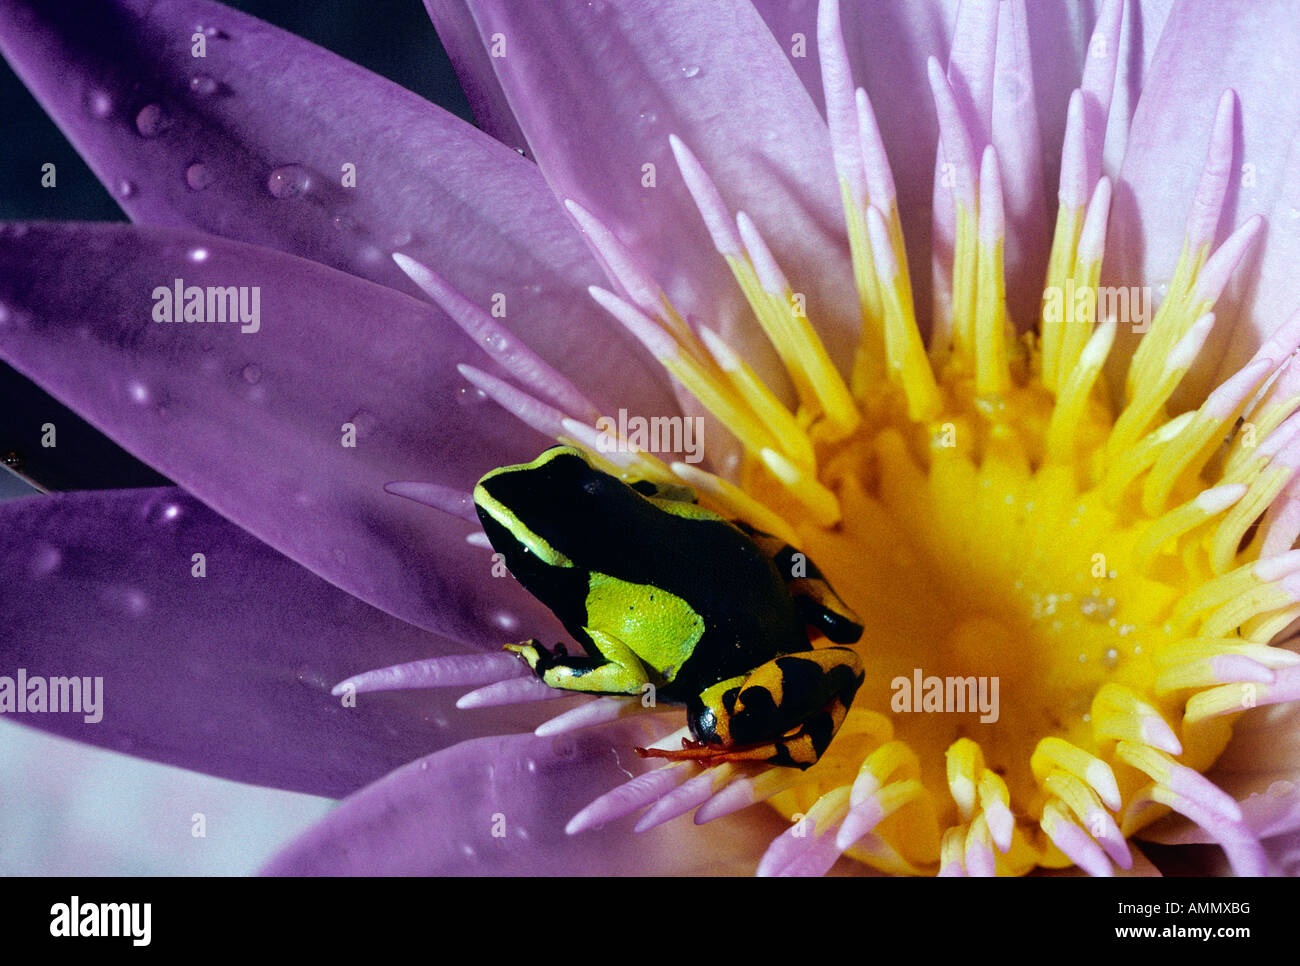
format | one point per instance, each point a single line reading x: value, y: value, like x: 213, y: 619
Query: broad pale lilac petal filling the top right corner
x: 1206, y: 50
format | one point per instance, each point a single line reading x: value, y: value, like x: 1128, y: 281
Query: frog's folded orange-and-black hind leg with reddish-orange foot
x: 783, y: 713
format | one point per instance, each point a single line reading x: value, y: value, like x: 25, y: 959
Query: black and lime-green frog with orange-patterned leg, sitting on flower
x: 661, y: 592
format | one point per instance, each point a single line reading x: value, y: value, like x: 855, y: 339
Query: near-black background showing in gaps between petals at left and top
x: 393, y: 38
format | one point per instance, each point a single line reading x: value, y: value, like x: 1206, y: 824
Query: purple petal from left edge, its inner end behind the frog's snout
x: 254, y: 423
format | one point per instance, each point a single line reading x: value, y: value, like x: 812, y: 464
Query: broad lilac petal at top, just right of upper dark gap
x: 623, y: 79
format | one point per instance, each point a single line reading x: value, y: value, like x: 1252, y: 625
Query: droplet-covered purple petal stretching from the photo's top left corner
x: 250, y: 142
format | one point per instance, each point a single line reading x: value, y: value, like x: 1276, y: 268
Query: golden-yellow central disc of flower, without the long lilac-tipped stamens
x: 1009, y: 599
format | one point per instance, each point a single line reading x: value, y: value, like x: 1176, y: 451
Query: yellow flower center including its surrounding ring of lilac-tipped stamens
x: 1064, y: 596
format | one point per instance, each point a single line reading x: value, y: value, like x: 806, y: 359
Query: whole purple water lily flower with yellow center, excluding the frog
x: 989, y: 307
